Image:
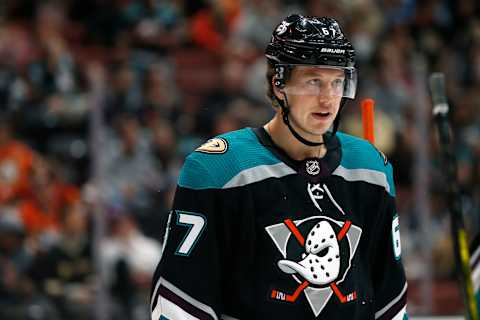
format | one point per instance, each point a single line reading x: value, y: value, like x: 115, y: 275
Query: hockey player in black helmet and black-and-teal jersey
x: 290, y: 220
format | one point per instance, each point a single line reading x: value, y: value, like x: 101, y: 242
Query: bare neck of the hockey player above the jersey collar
x: 284, y: 139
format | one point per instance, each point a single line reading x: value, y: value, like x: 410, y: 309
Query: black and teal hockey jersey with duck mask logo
x: 254, y: 236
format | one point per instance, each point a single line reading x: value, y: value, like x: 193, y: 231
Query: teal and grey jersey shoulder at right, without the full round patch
x: 361, y: 159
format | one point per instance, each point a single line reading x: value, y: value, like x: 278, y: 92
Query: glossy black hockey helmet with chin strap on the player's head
x: 313, y: 41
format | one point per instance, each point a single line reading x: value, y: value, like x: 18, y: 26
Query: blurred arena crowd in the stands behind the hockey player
x: 100, y: 101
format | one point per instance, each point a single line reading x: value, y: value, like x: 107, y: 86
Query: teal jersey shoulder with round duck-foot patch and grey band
x: 232, y: 159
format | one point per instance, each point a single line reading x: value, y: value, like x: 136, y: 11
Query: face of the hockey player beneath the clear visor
x: 314, y: 95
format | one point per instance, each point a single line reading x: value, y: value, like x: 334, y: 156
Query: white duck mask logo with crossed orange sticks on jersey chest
x: 317, y: 254
